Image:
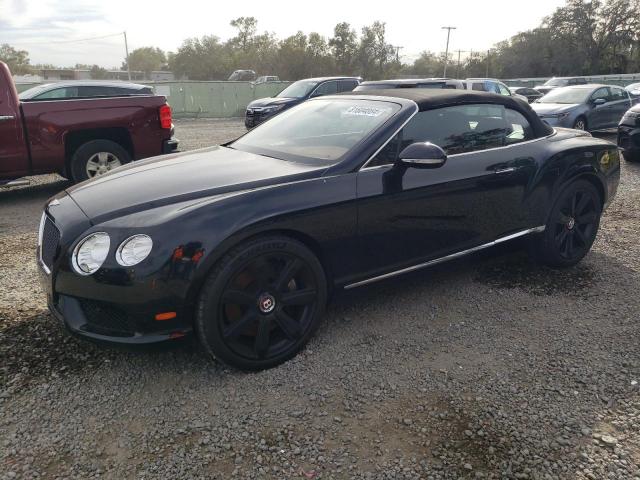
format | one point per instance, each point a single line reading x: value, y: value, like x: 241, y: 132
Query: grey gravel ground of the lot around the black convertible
x: 489, y: 367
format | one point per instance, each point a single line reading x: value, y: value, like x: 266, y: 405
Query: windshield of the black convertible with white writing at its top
x: 319, y: 132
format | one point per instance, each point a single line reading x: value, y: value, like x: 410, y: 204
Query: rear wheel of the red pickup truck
x: 96, y: 158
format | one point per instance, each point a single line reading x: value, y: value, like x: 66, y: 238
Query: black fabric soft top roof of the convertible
x: 428, y: 99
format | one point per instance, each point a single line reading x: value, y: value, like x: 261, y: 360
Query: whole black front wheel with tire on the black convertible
x: 261, y: 304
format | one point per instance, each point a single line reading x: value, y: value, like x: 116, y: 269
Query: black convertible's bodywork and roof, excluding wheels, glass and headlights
x: 360, y: 221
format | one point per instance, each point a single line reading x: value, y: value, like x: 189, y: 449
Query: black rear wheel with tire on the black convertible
x: 572, y: 226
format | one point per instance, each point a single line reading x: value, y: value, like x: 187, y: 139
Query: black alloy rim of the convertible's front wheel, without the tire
x: 267, y: 306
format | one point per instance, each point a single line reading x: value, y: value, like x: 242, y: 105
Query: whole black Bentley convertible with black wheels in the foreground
x: 244, y: 243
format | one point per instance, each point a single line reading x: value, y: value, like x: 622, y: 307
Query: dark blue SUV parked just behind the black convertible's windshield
x: 264, y: 108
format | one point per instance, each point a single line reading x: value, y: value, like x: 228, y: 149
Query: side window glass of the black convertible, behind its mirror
x: 459, y: 129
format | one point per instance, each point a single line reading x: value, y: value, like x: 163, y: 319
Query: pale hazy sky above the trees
x: 48, y: 29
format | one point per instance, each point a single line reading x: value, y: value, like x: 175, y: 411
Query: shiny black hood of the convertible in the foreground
x: 181, y: 177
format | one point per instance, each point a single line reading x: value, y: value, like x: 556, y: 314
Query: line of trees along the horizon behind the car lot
x: 583, y: 37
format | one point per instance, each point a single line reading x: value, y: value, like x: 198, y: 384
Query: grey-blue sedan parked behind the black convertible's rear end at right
x: 584, y: 107
